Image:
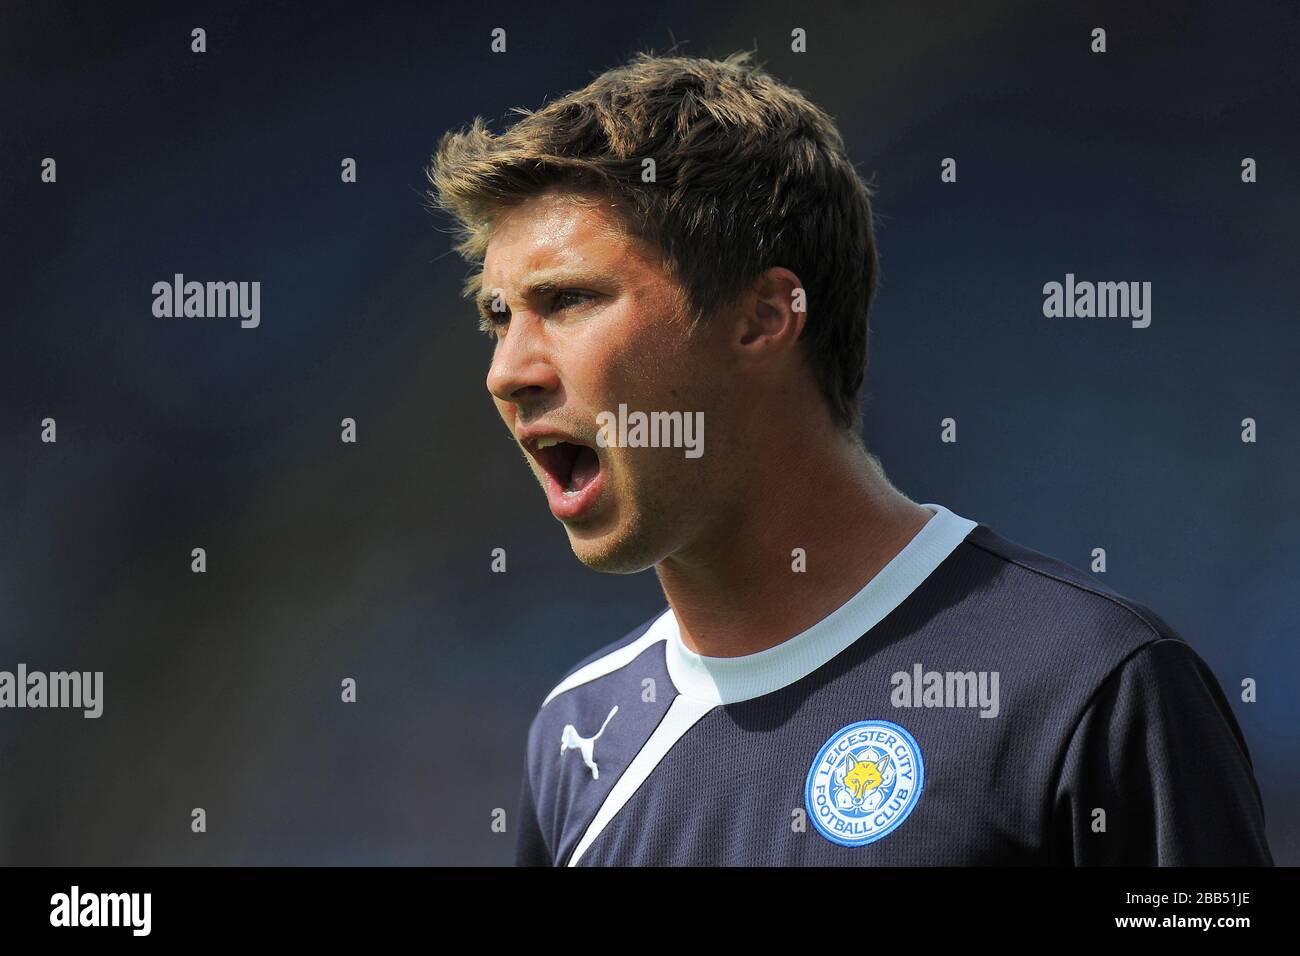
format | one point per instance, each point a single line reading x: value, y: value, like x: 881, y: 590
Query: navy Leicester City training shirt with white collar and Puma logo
x: 976, y: 704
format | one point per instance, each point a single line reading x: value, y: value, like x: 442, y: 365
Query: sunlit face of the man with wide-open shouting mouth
x: 592, y: 322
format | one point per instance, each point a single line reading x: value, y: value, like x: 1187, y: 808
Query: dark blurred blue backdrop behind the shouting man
x: 372, y: 560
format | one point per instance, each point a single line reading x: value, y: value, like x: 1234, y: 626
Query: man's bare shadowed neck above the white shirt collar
x: 738, y: 589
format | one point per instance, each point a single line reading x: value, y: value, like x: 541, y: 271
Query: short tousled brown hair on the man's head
x: 749, y: 175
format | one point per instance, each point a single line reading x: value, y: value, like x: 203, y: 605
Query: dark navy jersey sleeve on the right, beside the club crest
x: 1159, y: 751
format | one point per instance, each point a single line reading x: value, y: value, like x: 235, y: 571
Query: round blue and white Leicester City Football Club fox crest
x: 865, y: 782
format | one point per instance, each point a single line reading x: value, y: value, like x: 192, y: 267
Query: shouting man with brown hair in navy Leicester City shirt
x: 842, y: 676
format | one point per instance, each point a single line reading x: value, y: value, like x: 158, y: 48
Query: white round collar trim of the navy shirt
x: 731, y: 680
